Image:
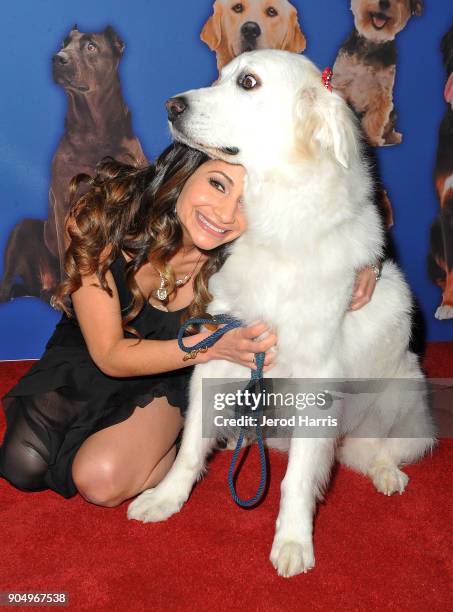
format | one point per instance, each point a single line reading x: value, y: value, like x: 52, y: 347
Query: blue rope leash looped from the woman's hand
x: 256, y: 375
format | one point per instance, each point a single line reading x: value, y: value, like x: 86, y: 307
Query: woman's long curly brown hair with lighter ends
x: 131, y: 208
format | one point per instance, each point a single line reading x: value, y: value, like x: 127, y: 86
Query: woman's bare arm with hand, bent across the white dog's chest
x: 99, y: 317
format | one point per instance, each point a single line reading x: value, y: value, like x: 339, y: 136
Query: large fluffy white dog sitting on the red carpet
x: 311, y: 227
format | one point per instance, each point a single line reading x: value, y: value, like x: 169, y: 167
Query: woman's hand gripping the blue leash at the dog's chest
x: 240, y: 345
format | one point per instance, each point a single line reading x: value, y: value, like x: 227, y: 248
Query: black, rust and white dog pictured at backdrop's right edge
x: 441, y: 253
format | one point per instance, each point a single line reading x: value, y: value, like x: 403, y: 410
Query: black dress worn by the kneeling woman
x: 65, y: 397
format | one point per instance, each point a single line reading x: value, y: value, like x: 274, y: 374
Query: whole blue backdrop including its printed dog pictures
x: 85, y: 80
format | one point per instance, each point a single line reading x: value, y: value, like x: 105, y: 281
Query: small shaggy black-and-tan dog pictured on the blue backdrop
x: 365, y: 67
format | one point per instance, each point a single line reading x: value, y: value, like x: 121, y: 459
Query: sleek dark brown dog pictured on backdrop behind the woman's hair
x: 97, y: 123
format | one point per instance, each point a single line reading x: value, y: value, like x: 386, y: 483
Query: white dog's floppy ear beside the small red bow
x: 324, y: 123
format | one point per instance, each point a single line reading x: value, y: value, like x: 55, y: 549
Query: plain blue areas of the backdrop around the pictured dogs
x: 163, y: 56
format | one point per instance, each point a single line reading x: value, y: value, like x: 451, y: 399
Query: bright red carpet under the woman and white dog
x: 372, y: 552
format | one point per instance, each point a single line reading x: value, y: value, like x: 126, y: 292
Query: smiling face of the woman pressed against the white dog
x: 210, y: 207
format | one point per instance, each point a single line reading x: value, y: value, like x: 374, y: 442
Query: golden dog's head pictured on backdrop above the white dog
x: 236, y: 27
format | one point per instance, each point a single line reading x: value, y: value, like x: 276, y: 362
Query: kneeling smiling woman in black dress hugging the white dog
x: 101, y: 411
